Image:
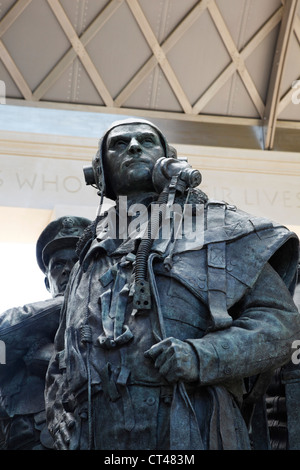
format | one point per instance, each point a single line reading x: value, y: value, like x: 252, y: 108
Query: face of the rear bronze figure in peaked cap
x: 59, y: 269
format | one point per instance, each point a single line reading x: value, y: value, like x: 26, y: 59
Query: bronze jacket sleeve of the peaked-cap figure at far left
x: 22, y: 328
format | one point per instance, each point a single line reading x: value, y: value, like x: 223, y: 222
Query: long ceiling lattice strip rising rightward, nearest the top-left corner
x: 71, y: 55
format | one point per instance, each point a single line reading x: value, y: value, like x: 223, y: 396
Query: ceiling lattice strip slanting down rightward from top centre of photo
x: 159, y: 55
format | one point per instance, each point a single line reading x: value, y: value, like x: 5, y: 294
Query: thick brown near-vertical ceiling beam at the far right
x: 273, y: 96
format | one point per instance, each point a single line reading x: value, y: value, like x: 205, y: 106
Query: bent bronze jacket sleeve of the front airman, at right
x: 266, y: 323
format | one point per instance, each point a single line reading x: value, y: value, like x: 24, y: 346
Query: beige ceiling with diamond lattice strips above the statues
x: 229, y: 60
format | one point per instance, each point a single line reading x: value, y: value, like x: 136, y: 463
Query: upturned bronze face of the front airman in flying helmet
x: 131, y: 153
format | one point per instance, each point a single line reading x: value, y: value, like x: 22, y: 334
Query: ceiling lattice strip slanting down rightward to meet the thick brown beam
x: 235, y: 56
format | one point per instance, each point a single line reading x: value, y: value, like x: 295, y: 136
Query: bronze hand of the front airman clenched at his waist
x: 175, y: 360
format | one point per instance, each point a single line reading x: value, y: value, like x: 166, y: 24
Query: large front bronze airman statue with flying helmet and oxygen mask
x: 168, y: 343
